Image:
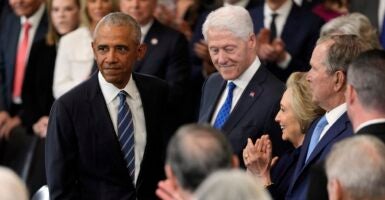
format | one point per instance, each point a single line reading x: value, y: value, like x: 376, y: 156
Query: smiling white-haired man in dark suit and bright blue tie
x: 242, y: 86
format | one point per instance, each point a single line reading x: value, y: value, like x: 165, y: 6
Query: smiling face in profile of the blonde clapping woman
x: 291, y: 128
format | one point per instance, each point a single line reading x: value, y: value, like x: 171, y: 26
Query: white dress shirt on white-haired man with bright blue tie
x: 241, y: 82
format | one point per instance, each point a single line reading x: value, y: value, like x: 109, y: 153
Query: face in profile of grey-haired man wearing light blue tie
x: 320, y: 80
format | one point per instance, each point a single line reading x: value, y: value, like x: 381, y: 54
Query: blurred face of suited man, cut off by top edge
x: 141, y: 10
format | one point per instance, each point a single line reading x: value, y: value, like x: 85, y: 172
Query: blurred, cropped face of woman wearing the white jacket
x: 97, y: 9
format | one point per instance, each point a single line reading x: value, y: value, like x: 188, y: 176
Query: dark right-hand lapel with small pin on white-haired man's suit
x: 251, y: 93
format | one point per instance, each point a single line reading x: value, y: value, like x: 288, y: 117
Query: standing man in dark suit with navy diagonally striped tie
x: 104, y: 138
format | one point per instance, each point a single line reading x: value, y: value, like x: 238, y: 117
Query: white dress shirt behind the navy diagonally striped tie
x: 110, y: 93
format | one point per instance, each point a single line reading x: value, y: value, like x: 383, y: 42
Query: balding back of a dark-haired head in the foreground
x: 195, y: 151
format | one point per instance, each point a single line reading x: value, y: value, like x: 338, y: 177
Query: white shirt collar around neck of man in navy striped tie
x: 110, y: 92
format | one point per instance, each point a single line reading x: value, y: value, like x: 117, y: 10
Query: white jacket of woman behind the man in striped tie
x: 74, y: 60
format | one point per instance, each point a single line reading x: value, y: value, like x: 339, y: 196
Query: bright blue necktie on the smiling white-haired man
x: 224, y: 112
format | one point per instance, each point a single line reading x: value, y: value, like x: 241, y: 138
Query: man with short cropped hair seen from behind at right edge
x: 365, y: 97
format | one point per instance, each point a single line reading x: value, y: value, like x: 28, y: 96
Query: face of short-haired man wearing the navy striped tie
x: 116, y: 52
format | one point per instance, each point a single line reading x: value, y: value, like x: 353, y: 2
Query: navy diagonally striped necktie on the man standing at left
x: 126, y: 133
